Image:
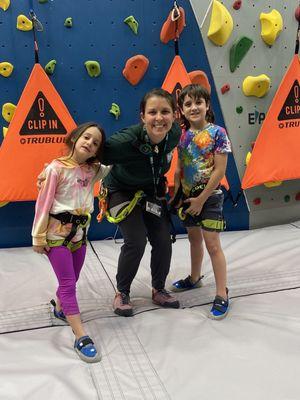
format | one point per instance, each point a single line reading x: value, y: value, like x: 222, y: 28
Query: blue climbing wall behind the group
x: 78, y: 32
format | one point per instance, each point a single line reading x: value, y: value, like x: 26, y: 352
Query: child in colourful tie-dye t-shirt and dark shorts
x: 202, y: 159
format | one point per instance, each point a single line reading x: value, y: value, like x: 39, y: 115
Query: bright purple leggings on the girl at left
x: 67, y: 267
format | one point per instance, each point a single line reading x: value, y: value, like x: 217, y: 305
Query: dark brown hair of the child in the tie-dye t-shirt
x: 196, y: 92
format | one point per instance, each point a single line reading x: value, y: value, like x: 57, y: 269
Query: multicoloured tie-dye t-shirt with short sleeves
x: 196, y: 150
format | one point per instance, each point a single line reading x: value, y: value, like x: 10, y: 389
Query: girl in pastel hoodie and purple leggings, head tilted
x: 62, y: 216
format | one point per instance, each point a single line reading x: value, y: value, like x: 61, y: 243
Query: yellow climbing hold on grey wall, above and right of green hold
x: 271, y: 26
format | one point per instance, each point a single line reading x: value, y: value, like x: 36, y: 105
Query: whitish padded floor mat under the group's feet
x: 158, y: 354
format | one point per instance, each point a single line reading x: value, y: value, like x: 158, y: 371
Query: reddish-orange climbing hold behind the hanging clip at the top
x: 173, y: 26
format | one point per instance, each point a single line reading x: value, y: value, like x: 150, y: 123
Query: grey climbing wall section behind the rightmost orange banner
x: 244, y: 115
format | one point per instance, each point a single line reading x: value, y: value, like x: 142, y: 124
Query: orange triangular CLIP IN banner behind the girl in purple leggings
x: 35, y: 136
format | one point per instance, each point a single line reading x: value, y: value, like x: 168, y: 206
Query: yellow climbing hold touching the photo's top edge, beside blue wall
x: 221, y: 24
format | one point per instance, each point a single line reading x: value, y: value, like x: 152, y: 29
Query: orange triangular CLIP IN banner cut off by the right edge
x: 275, y: 156
